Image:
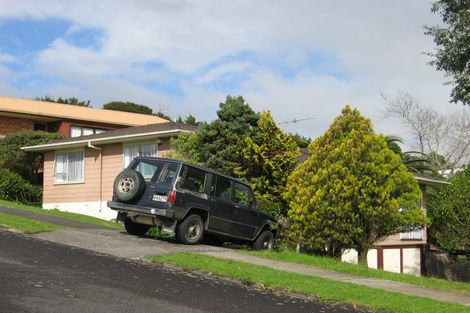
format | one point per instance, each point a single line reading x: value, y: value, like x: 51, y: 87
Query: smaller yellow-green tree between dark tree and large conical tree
x: 268, y: 157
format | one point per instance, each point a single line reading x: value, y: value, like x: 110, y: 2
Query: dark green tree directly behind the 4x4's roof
x: 220, y: 141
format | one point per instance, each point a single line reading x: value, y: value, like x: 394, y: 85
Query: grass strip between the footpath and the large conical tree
x: 354, y: 269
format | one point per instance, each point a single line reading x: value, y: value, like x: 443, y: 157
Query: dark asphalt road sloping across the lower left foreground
x: 40, y: 276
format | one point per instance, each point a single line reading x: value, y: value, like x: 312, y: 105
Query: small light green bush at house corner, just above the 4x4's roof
x: 185, y: 147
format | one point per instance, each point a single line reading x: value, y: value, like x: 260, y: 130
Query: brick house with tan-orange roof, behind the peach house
x: 68, y: 120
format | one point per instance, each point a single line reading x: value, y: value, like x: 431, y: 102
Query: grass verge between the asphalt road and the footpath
x: 324, y: 289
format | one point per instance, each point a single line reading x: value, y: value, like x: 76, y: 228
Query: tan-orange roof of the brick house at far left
x: 49, y: 111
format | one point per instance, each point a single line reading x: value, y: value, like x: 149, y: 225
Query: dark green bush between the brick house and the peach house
x: 27, y: 164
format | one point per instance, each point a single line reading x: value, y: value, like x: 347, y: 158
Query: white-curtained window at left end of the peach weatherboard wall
x: 68, y: 167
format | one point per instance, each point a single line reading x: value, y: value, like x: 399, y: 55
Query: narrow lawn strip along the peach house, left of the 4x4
x: 66, y: 215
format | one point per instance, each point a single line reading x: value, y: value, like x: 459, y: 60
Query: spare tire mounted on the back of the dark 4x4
x: 129, y: 185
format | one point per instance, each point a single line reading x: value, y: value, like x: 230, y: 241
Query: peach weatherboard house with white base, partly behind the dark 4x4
x: 79, y: 172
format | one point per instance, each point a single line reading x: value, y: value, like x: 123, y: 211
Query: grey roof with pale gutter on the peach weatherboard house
x: 167, y: 129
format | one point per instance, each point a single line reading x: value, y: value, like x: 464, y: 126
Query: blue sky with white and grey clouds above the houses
x: 300, y: 59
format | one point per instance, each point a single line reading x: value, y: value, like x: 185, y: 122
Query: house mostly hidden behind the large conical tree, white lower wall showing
x: 402, y: 252
